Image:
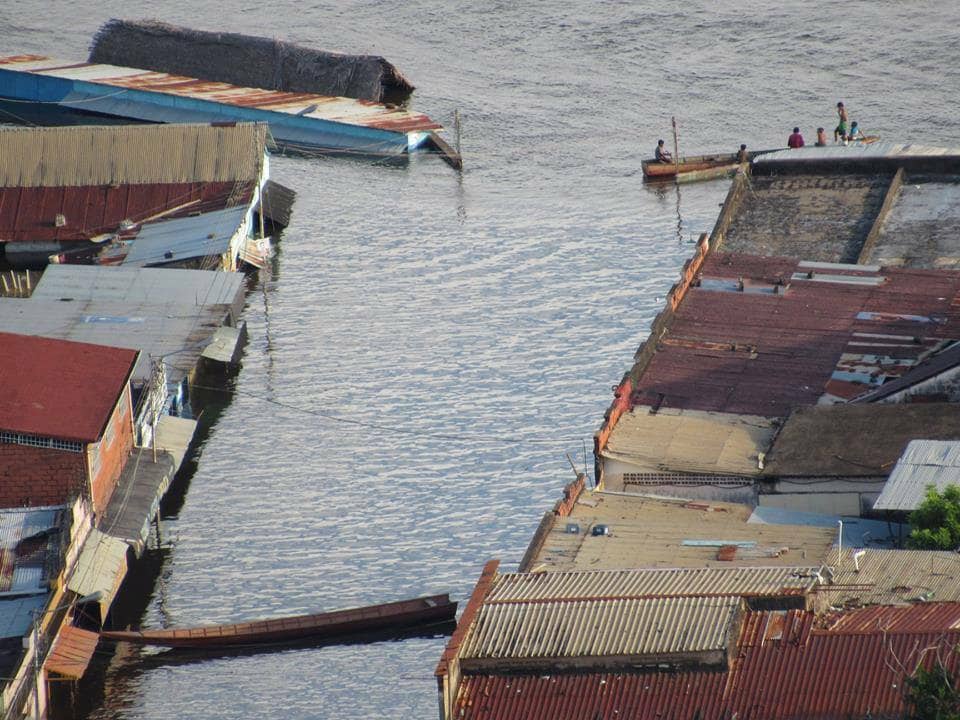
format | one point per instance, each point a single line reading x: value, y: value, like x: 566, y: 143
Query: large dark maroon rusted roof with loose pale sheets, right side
x: 761, y: 353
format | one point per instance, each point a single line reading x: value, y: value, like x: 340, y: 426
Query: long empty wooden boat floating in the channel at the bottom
x: 338, y: 623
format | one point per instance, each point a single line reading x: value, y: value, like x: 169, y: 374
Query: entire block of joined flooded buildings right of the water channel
x: 740, y: 555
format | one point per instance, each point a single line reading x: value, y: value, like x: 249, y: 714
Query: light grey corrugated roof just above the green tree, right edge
x: 923, y: 463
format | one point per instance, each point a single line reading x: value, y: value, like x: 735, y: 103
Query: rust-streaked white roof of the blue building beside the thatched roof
x: 321, y: 107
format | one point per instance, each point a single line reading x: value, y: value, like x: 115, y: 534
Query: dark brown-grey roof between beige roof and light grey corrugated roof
x: 864, y: 440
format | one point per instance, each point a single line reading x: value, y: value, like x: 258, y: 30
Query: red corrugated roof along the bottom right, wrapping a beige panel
x: 784, y: 669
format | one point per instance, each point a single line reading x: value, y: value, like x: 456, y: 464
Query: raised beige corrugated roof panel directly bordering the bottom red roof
x: 601, y: 627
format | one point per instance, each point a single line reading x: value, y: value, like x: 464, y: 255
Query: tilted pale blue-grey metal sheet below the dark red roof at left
x: 184, y: 238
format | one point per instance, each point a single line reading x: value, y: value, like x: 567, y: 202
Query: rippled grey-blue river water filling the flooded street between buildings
x: 430, y: 346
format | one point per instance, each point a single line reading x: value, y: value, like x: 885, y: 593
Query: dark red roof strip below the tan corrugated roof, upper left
x: 29, y: 214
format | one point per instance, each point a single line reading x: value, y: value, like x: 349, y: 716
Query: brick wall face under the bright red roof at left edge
x: 39, y: 476
